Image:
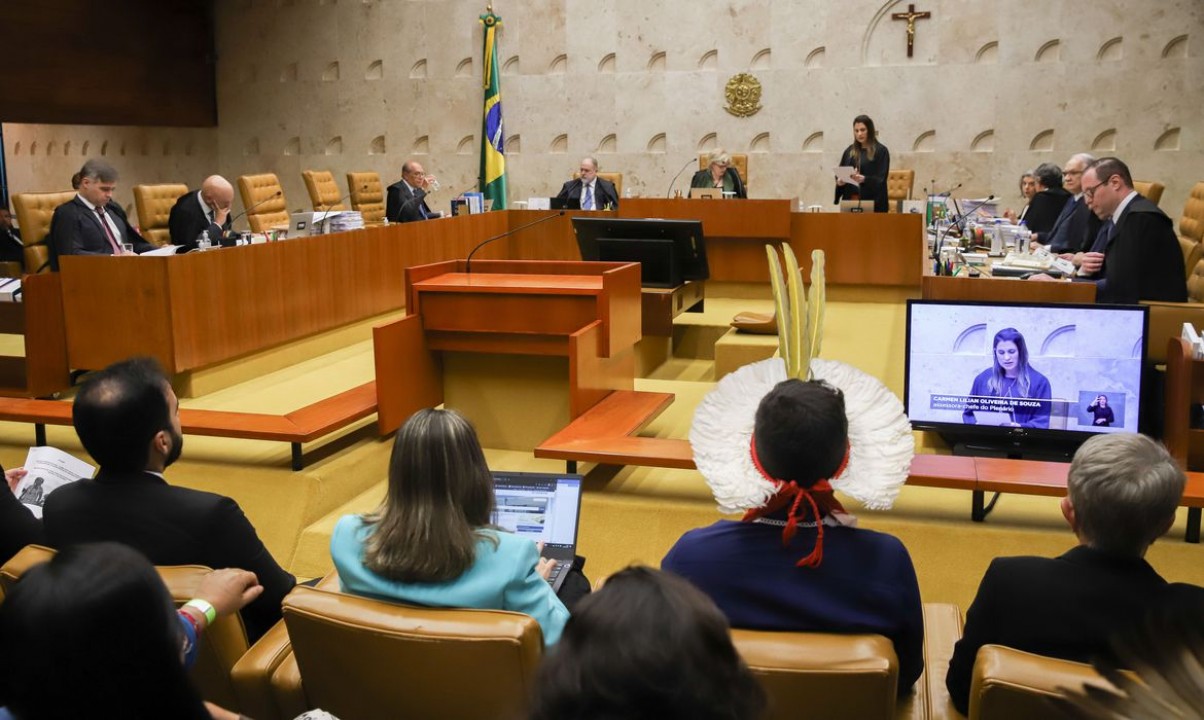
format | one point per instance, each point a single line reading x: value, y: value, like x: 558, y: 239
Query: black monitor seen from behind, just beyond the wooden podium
x: 670, y: 252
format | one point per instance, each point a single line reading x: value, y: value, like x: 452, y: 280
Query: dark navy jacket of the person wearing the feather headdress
x: 866, y: 583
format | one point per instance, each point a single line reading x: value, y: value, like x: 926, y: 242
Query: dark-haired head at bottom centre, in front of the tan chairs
x: 647, y: 646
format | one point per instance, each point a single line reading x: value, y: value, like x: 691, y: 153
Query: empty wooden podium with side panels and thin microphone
x: 521, y: 347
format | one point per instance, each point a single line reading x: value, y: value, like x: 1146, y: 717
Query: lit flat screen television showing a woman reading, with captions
x: 1024, y: 380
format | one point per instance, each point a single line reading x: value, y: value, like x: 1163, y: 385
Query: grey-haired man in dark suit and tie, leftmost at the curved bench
x: 91, y: 225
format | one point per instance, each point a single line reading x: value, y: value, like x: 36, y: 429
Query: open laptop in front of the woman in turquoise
x: 545, y: 507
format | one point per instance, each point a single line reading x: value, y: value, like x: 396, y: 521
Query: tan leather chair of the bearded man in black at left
x: 222, y: 644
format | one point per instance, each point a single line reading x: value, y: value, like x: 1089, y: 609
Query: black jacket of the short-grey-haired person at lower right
x: 1060, y: 607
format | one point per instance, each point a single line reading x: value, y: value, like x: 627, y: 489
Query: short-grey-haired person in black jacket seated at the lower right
x: 1123, y: 494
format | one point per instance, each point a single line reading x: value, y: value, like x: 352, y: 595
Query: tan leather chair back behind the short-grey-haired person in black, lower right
x: 1013, y: 684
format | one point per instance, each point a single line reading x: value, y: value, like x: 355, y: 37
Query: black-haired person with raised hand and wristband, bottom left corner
x: 93, y: 634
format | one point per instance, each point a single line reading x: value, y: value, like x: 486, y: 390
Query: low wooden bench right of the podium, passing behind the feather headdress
x: 605, y: 434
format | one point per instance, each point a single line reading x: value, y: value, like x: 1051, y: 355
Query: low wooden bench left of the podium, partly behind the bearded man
x: 300, y: 427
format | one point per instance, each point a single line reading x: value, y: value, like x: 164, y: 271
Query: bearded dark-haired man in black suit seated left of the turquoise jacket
x: 128, y: 418
